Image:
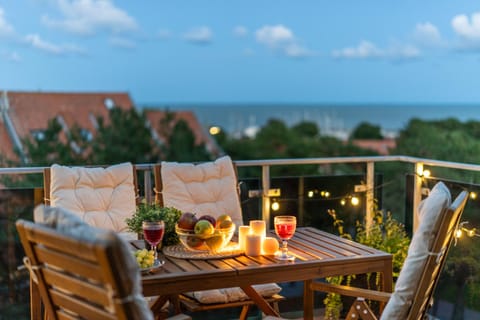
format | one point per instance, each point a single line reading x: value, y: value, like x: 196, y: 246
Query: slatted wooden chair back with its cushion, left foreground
x: 81, y: 272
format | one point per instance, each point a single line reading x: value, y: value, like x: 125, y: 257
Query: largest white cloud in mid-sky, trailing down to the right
x: 283, y: 40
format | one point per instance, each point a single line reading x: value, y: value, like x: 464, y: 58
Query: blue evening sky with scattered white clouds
x: 262, y: 51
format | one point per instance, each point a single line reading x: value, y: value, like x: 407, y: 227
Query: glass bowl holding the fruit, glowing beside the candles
x: 199, y: 242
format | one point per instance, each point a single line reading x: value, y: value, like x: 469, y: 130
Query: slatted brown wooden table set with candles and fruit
x: 318, y: 255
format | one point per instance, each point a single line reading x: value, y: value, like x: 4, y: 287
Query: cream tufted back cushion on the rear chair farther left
x: 102, y: 197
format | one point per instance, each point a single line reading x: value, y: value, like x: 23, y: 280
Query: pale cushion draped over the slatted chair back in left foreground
x: 70, y: 224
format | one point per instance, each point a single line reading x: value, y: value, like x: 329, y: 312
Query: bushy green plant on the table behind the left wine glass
x: 154, y: 212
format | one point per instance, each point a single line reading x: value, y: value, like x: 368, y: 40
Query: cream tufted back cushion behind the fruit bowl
x: 207, y: 188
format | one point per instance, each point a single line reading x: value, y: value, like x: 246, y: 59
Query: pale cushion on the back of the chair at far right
x: 429, y: 210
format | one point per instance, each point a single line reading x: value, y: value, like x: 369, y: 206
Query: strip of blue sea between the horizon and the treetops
x: 336, y: 120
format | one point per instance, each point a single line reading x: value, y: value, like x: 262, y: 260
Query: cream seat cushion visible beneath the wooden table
x: 226, y: 295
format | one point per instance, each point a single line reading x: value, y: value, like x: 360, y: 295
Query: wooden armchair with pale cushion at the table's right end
x: 420, y: 273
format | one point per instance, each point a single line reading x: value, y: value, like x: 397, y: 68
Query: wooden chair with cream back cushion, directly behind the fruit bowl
x: 174, y: 185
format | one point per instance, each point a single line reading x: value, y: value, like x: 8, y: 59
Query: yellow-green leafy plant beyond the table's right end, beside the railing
x: 386, y: 234
